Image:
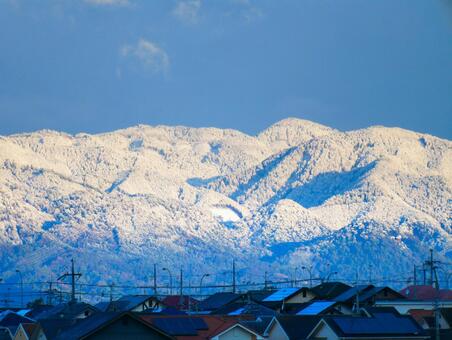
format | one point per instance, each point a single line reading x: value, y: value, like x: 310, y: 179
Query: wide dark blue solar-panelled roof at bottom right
x: 381, y: 324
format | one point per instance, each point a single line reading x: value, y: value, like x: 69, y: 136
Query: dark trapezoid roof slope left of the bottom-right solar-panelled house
x: 297, y: 326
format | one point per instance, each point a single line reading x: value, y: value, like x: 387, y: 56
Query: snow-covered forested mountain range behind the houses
x: 295, y: 194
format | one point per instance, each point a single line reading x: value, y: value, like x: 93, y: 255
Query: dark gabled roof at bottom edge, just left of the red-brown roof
x: 95, y: 322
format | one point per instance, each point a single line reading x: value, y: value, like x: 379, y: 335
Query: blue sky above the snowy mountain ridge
x: 99, y: 65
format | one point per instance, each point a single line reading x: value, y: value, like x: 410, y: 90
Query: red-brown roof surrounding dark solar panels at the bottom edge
x: 215, y: 325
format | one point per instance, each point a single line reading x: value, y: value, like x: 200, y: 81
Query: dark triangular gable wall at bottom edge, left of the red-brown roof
x: 126, y: 328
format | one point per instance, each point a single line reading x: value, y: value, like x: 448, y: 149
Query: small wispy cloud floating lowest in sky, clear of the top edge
x: 153, y: 58
